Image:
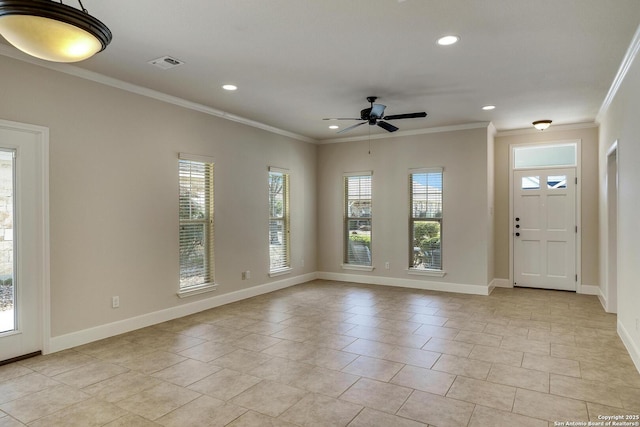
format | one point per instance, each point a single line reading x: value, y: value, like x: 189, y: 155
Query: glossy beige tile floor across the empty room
x: 336, y: 354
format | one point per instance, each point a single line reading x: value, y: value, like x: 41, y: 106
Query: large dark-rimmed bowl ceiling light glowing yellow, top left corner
x: 52, y: 31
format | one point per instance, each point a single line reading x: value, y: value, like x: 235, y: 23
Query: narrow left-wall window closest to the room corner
x: 279, y: 253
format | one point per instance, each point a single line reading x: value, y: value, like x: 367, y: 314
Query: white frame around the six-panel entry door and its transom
x: 578, y: 167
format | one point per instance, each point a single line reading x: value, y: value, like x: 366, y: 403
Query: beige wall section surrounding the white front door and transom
x: 589, y: 197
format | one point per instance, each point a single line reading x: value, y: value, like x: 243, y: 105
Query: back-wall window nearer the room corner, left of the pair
x: 357, y: 219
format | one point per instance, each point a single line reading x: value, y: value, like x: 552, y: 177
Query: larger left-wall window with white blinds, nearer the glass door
x: 196, y: 223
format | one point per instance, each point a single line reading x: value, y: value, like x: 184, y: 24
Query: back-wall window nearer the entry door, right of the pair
x: 425, y: 221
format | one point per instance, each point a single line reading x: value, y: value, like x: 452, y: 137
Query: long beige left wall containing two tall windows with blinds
x: 113, y: 194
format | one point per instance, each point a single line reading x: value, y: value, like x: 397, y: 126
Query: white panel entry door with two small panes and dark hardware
x: 544, y: 228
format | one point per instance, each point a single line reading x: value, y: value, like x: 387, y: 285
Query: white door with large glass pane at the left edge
x: 21, y: 260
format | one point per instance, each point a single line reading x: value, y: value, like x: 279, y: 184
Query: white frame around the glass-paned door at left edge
x: 43, y: 241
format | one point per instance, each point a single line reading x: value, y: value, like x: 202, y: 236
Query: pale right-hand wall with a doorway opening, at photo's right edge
x: 620, y: 122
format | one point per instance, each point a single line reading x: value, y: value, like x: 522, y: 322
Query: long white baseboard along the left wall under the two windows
x: 86, y: 336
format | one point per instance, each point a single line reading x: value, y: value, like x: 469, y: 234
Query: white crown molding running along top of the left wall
x: 143, y: 91
